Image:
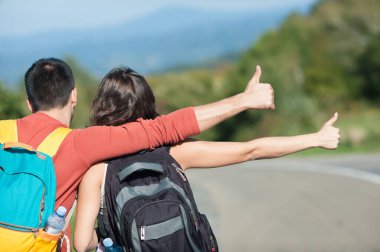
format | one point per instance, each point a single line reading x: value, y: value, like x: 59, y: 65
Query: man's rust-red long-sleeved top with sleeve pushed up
x: 85, y: 147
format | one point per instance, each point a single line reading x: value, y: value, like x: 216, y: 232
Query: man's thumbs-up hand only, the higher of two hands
x: 259, y: 95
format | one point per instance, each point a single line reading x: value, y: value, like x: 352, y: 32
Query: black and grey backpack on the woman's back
x: 150, y: 206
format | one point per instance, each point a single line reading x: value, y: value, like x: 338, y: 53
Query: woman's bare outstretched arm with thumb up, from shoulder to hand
x: 198, y: 154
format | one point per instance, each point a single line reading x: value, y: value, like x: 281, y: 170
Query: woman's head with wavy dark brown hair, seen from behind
x: 123, y: 96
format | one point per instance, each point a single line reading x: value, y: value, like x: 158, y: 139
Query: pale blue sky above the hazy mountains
x: 21, y: 17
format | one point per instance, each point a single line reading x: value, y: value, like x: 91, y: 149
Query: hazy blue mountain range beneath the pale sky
x: 170, y: 38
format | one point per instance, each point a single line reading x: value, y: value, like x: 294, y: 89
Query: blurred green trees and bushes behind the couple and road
x: 326, y: 61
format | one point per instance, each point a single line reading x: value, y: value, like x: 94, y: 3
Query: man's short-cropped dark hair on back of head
x: 48, y: 84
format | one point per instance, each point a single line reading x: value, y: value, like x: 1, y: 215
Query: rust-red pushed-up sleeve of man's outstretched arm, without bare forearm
x: 98, y: 143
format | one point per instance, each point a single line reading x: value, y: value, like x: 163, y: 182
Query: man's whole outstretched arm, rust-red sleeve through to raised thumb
x: 99, y: 143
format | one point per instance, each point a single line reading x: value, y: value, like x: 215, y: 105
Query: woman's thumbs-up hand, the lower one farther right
x: 328, y: 135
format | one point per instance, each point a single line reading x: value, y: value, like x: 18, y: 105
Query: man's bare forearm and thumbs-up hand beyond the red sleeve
x: 256, y: 96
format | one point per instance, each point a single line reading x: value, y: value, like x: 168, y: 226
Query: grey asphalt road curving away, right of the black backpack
x: 329, y: 203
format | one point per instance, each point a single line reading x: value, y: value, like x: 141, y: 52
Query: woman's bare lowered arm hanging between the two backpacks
x: 88, y: 208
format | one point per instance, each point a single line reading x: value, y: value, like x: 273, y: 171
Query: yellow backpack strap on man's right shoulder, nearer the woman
x: 52, y: 142
